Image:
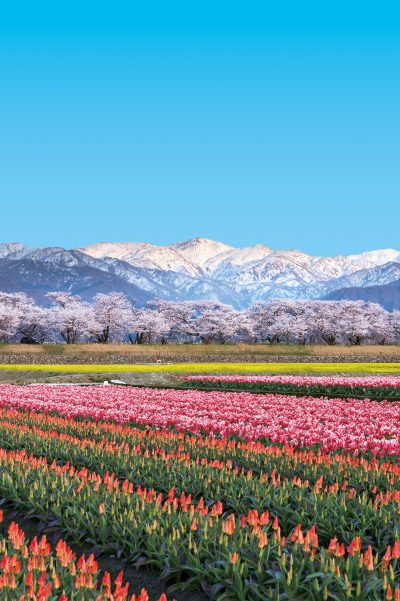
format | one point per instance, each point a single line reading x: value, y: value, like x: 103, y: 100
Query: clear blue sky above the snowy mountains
x: 272, y: 122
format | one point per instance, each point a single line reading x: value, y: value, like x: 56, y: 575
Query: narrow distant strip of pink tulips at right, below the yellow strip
x: 376, y: 387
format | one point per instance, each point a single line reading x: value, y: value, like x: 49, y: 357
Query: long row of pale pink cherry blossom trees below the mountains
x: 113, y: 317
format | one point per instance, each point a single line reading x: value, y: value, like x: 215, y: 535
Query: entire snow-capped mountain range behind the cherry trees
x: 199, y: 269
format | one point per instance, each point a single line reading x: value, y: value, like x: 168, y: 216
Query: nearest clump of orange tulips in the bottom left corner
x: 33, y: 570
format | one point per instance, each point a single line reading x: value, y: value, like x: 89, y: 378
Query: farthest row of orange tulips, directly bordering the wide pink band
x: 169, y: 448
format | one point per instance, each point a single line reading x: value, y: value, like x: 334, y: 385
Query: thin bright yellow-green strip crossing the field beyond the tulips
x: 212, y: 368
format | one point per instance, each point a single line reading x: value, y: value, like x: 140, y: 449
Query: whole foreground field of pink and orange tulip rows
x: 243, y: 496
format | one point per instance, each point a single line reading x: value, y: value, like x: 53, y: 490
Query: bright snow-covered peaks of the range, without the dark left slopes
x: 253, y: 272
